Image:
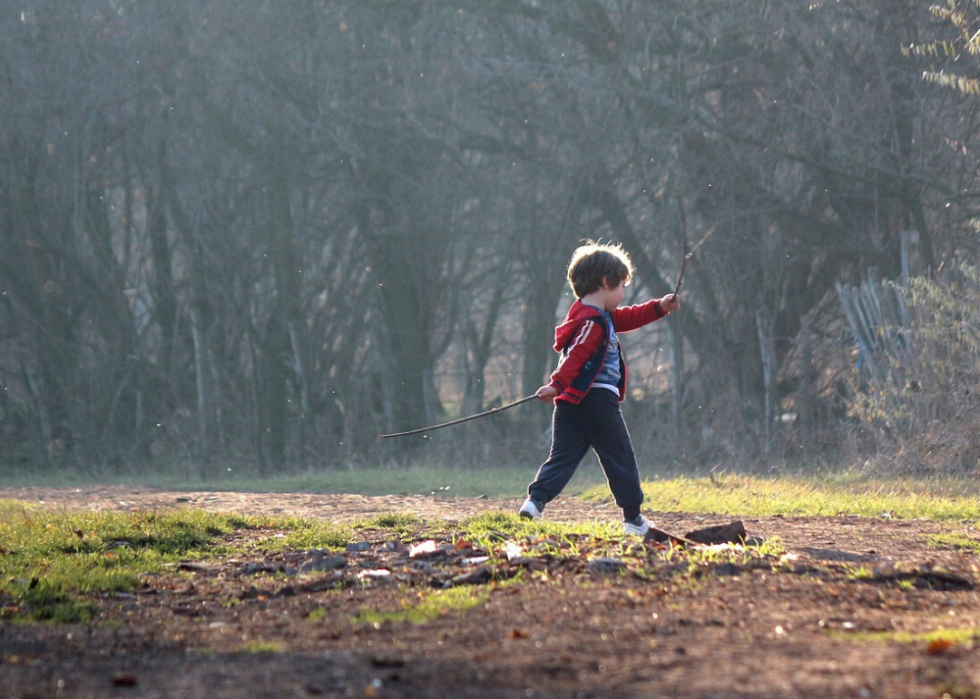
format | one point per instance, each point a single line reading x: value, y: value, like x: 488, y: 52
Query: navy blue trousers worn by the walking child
x: 597, y: 423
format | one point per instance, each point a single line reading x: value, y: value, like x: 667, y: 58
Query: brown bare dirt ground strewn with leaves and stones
x: 843, y: 613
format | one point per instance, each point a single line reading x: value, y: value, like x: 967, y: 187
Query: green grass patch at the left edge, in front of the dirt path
x: 51, y: 562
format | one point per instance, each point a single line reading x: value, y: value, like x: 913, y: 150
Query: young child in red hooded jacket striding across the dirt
x: 590, y: 382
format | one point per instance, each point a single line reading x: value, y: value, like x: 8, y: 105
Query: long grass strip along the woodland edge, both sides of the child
x: 827, y: 494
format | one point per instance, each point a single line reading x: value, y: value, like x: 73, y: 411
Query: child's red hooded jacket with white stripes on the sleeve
x: 582, y: 340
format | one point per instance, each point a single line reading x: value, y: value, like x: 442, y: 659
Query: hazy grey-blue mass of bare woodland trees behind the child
x: 261, y: 233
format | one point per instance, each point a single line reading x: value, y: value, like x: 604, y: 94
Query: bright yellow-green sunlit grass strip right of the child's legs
x: 826, y: 495
